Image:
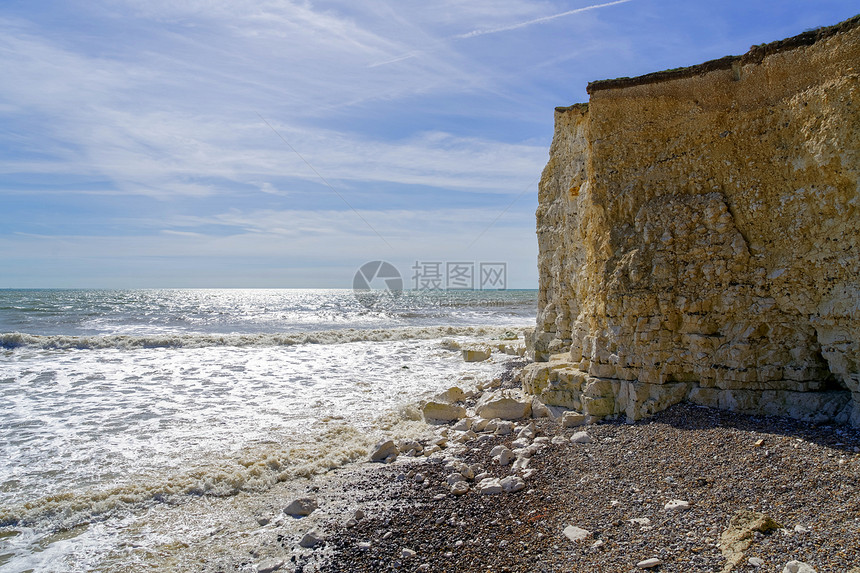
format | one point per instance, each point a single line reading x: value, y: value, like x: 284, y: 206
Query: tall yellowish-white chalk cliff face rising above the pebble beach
x: 699, y: 236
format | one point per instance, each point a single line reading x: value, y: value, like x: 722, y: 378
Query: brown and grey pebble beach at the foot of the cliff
x: 798, y: 477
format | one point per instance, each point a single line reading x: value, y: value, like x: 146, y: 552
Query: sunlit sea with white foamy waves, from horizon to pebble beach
x: 126, y: 412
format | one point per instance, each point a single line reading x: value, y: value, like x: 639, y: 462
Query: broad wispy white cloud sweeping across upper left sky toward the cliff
x: 158, y: 125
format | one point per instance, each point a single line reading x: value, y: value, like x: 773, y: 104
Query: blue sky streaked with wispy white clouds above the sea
x: 234, y: 143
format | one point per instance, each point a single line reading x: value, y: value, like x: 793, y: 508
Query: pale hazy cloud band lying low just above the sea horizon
x: 274, y: 246
